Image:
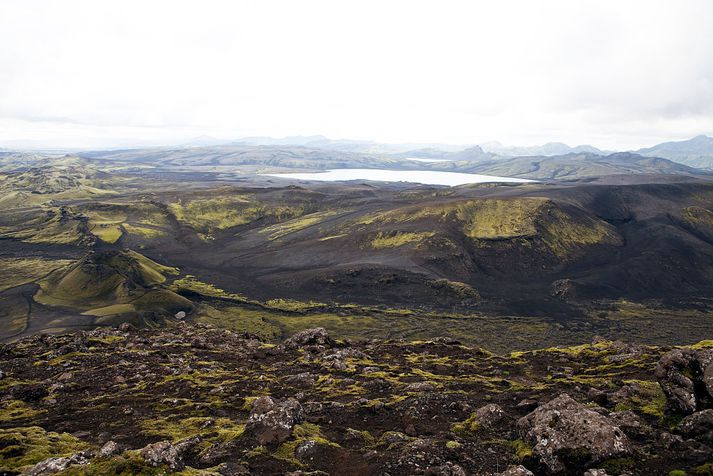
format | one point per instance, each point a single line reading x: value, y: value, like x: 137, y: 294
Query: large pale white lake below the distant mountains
x: 428, y: 177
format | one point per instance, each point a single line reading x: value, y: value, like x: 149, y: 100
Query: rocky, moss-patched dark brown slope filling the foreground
x: 193, y: 399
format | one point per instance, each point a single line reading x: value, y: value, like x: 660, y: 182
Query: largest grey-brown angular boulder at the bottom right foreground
x: 567, y: 435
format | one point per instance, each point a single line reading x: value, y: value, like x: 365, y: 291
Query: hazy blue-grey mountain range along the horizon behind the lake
x: 255, y: 155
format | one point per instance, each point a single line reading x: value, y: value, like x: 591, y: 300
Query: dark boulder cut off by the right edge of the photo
x: 686, y: 378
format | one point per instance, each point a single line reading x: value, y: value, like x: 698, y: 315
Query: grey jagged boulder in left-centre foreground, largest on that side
x: 271, y: 421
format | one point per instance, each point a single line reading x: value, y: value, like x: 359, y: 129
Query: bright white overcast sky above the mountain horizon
x: 615, y: 74
